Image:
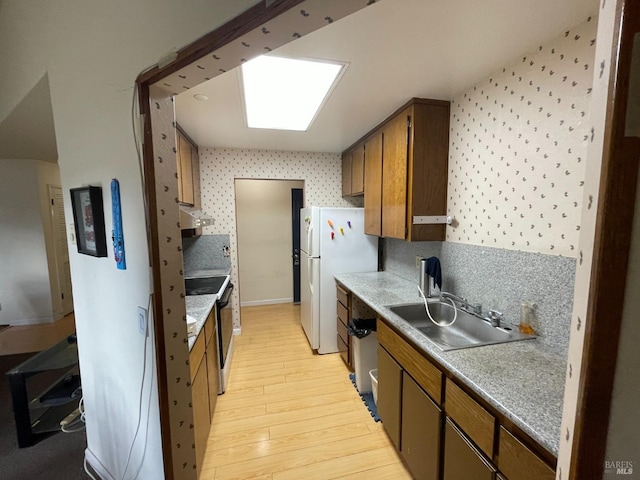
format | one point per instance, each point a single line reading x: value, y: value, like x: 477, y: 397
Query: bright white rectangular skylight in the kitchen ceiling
x: 286, y: 94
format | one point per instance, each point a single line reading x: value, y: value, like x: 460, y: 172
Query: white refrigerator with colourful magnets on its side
x: 332, y: 241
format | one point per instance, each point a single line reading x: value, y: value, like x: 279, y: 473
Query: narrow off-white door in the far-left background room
x: 61, y: 250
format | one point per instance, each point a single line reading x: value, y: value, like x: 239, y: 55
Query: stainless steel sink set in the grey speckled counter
x: 468, y: 330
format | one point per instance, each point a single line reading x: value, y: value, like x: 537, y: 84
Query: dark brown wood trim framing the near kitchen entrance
x: 608, y: 280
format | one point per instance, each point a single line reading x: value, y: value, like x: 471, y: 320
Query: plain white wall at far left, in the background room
x: 25, y: 292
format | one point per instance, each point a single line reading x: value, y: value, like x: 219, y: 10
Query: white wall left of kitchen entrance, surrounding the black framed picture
x: 92, y: 52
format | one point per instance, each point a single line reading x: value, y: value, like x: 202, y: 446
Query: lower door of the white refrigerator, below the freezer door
x: 310, y: 299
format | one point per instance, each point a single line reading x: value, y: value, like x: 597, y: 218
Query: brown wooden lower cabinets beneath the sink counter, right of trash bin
x: 413, y: 401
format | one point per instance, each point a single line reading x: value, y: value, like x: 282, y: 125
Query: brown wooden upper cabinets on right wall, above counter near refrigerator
x: 405, y: 174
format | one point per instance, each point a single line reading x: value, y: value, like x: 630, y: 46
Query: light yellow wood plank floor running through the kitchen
x: 290, y: 414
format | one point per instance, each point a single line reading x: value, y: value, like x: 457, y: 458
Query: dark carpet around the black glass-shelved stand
x: 56, y: 456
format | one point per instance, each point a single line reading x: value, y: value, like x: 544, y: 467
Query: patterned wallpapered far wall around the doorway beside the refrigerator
x: 322, y: 173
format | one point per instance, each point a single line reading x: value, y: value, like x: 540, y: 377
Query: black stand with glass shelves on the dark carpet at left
x: 38, y: 407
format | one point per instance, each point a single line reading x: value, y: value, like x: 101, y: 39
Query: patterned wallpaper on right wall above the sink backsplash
x: 518, y: 150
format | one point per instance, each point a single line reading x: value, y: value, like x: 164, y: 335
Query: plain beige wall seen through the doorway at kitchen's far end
x: 265, y: 242
